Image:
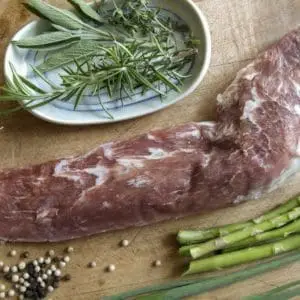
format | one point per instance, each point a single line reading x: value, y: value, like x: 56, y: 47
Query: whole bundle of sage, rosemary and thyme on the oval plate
x: 114, y: 50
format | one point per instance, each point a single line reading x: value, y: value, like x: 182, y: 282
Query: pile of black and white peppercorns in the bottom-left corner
x: 34, y: 279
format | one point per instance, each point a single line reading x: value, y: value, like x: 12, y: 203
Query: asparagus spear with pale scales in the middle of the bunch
x: 230, y: 239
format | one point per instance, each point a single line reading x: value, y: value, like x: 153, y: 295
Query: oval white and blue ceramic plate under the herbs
x: 89, y: 111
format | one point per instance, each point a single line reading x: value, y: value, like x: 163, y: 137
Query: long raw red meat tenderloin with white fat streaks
x: 171, y: 173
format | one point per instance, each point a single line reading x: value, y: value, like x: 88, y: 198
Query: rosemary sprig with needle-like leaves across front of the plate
x: 121, y: 68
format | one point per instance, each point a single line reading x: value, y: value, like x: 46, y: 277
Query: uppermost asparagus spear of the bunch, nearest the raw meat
x: 185, y: 237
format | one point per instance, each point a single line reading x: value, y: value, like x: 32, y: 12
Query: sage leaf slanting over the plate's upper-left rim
x: 56, y: 15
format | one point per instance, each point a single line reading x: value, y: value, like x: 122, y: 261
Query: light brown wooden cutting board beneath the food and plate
x: 240, y: 30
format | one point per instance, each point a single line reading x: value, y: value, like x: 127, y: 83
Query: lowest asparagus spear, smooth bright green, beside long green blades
x: 243, y: 256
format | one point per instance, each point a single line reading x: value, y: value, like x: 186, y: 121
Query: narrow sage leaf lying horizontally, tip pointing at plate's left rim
x: 46, y: 39
